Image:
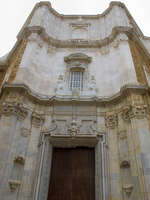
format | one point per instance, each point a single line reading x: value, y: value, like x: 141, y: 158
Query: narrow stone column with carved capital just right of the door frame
x: 111, y: 121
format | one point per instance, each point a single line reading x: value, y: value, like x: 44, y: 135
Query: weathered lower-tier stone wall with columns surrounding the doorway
x: 125, y: 124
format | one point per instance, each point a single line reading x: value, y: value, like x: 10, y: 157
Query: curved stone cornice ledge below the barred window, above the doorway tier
x: 49, y: 99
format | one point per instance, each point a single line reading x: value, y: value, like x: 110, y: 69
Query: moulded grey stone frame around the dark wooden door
x: 48, y: 142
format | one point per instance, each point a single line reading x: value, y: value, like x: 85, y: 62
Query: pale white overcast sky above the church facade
x: 13, y: 14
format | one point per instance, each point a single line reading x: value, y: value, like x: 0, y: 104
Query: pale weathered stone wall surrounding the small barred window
x: 41, y: 65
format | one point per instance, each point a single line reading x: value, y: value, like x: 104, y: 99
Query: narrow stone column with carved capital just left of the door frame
x: 30, y: 168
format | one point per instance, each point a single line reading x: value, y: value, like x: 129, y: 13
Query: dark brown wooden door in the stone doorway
x: 72, y: 174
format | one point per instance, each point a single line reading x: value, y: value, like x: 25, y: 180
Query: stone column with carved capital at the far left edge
x: 13, y: 115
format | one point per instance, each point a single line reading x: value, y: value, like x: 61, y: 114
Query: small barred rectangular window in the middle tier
x: 76, y: 80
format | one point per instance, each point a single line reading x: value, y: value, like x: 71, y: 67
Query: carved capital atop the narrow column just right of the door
x: 111, y: 121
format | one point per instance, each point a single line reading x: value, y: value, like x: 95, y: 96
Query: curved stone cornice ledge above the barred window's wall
x: 76, y: 43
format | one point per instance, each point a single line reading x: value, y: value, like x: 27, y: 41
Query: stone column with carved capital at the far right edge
x: 141, y: 139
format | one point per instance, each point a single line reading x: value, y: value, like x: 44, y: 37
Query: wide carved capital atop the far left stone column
x: 14, y: 108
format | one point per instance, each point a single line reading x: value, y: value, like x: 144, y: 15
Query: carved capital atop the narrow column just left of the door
x: 37, y: 119
